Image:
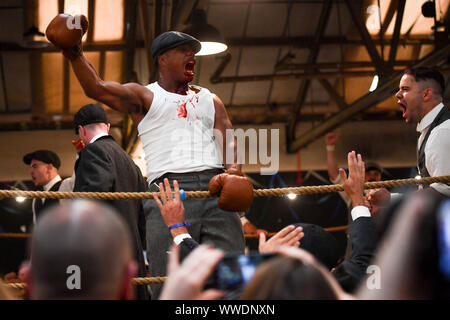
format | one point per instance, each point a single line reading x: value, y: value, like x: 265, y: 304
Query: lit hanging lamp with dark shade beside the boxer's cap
x: 211, y: 39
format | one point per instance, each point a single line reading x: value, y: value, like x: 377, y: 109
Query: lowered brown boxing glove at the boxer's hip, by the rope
x: 236, y: 191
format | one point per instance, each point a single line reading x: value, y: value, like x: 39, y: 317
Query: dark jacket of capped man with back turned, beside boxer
x: 103, y: 166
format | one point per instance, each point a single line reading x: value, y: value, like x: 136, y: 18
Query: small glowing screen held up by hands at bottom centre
x: 236, y: 270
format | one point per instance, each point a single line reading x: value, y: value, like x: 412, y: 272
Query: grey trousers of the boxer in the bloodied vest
x: 208, y: 223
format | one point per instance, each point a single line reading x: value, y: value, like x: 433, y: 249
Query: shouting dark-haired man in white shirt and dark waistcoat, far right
x: 420, y: 95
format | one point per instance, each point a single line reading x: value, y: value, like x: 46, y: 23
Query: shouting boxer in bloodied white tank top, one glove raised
x: 165, y: 113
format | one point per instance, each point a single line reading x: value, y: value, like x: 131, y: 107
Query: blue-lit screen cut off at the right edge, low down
x: 444, y: 239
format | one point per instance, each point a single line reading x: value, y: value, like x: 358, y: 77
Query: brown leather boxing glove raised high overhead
x: 65, y: 32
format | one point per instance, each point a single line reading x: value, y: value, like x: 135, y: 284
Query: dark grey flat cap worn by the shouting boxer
x: 172, y: 39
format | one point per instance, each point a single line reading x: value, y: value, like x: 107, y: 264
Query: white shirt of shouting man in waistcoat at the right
x: 437, y: 149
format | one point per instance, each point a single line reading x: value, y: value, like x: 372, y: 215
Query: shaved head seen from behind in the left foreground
x: 81, y: 250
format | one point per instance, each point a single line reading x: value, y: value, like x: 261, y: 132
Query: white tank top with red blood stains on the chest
x: 177, y: 133
